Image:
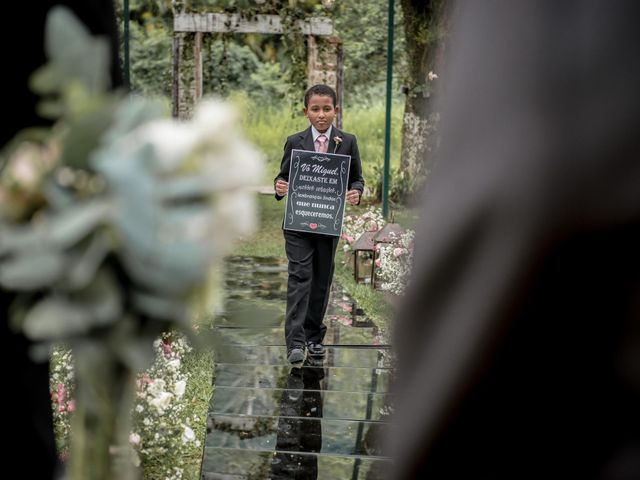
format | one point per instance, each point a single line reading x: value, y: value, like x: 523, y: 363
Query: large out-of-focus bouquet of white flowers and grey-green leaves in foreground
x: 110, y: 225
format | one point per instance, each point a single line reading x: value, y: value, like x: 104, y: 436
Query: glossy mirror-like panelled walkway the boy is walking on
x: 270, y: 421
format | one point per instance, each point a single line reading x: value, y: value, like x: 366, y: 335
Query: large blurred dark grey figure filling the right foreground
x: 519, y: 341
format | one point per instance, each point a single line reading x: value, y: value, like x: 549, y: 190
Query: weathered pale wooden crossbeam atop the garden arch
x: 222, y: 22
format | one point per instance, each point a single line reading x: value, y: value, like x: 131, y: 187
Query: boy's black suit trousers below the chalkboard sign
x: 311, y: 264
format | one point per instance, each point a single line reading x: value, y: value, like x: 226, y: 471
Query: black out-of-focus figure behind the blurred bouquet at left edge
x: 31, y: 445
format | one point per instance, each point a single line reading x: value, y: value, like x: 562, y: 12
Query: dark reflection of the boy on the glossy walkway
x: 299, y: 426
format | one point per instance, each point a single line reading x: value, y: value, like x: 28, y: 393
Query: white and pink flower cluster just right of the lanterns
x: 395, y: 261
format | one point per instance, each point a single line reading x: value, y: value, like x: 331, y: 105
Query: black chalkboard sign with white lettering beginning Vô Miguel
x: 317, y: 191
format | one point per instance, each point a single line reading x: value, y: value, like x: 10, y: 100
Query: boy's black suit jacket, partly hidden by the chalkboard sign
x: 304, y: 141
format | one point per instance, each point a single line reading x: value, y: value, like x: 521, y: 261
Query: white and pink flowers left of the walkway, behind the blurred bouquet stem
x: 162, y: 435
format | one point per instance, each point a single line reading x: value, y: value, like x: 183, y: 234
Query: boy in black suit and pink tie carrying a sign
x: 311, y: 255
